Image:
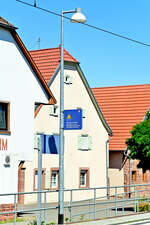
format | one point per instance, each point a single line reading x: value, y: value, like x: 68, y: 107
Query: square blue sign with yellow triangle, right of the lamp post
x: 73, y: 119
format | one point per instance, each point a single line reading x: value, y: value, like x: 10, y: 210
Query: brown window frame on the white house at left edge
x: 7, y: 130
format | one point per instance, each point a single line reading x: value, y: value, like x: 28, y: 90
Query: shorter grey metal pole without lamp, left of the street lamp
x: 39, y: 179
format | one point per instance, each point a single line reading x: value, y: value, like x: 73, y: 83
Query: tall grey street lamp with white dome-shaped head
x: 78, y: 17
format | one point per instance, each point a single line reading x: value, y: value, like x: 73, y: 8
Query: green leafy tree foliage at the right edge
x: 139, y: 143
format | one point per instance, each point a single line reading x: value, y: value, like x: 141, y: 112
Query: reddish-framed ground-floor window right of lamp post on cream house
x: 84, y: 178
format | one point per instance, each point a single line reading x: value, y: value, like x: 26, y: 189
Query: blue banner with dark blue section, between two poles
x: 50, y: 144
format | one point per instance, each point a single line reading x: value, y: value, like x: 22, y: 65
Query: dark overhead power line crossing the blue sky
x: 86, y: 24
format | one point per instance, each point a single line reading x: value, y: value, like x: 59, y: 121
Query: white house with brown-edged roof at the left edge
x: 21, y: 87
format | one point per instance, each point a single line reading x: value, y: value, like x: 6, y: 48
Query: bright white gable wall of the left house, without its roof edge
x: 20, y: 87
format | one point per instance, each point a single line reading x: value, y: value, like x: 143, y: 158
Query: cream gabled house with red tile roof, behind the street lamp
x: 85, y: 149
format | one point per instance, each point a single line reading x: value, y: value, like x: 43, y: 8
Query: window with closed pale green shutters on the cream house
x: 84, y: 142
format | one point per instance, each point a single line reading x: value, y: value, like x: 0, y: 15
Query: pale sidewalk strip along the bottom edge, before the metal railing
x: 113, y: 221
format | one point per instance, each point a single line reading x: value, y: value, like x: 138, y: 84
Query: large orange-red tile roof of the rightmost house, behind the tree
x: 123, y: 107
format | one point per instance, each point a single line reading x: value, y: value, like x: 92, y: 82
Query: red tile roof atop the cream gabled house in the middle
x: 48, y: 59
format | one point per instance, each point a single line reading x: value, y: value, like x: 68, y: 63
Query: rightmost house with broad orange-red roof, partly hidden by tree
x: 123, y: 107
